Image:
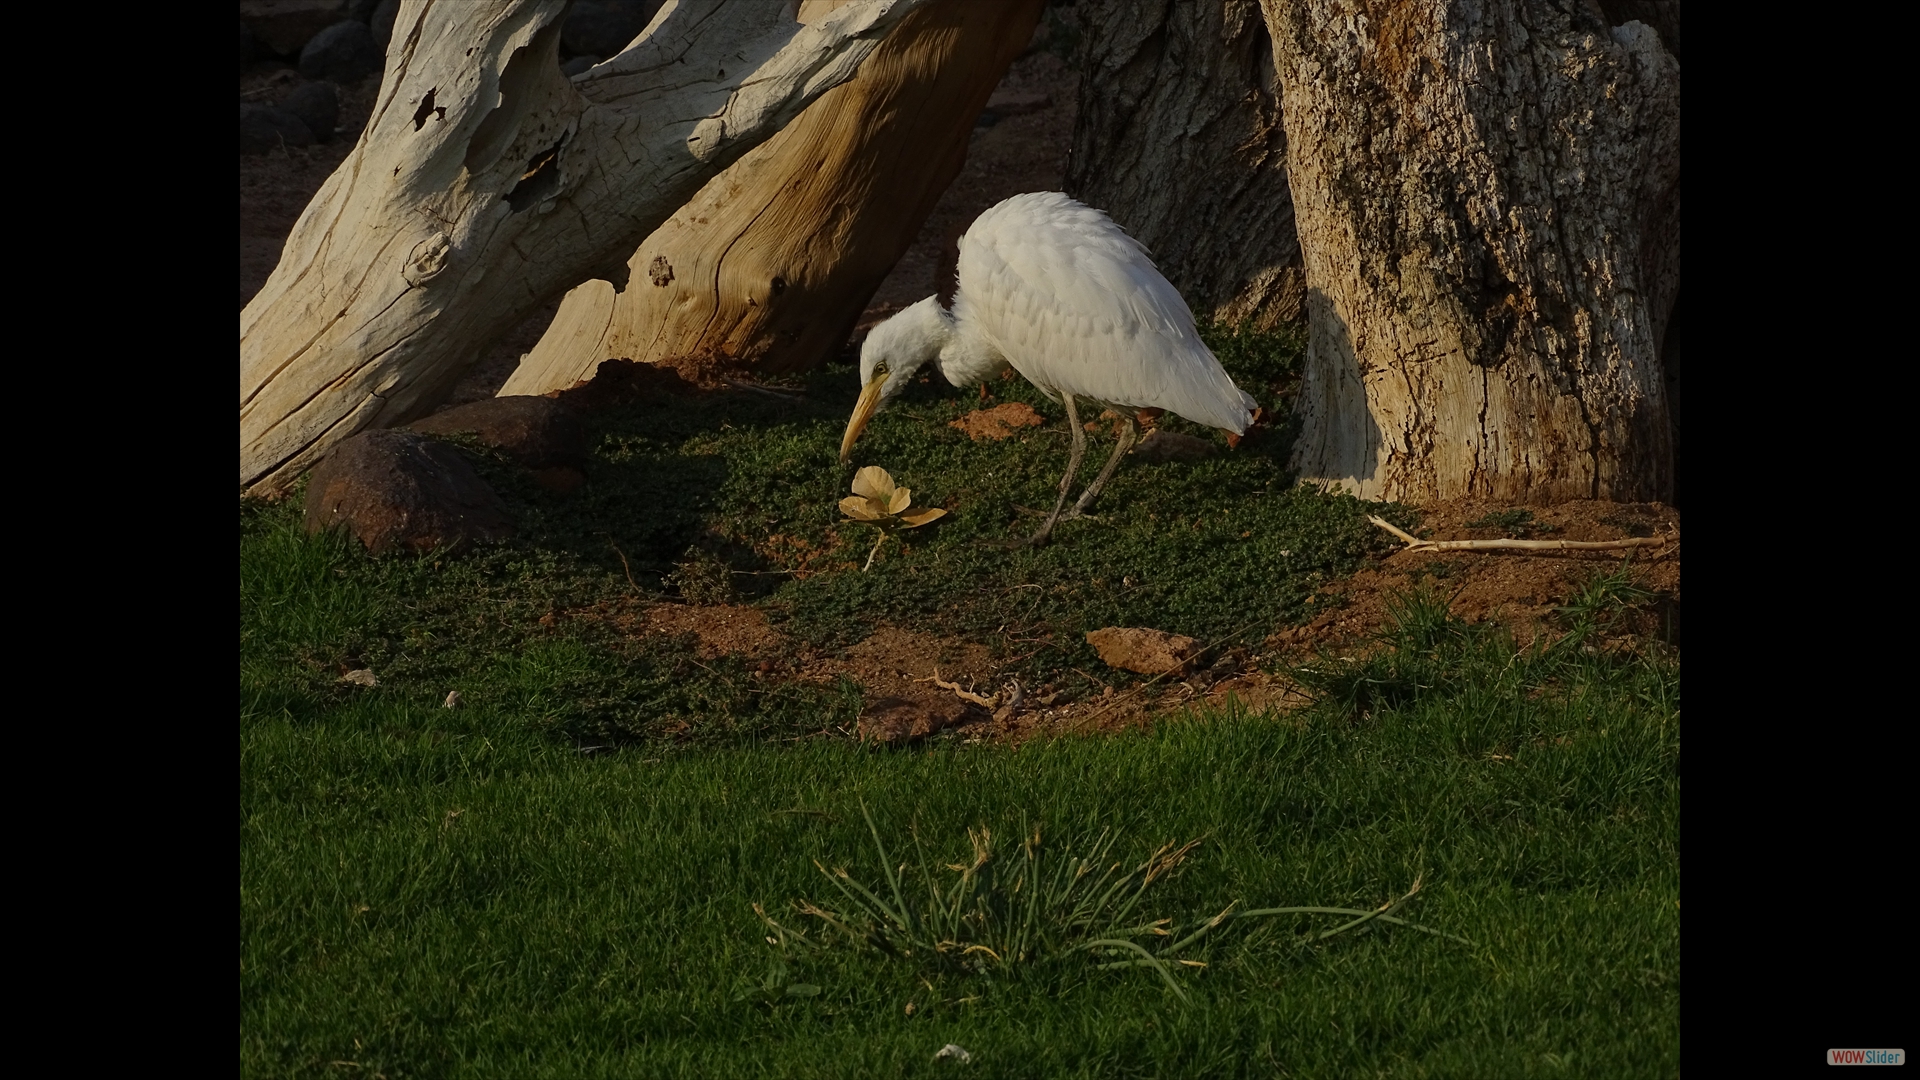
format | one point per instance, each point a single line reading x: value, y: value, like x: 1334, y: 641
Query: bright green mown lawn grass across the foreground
x: 450, y: 895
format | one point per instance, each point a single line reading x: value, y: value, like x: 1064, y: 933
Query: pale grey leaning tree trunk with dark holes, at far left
x: 487, y: 184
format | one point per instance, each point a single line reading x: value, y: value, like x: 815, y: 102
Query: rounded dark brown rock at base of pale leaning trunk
x: 402, y: 491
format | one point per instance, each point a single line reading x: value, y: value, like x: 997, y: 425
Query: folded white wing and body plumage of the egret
x: 1078, y: 307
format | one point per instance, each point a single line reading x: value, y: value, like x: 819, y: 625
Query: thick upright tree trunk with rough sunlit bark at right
x: 1489, y: 205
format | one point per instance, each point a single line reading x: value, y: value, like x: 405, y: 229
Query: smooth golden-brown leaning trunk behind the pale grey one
x: 773, y: 262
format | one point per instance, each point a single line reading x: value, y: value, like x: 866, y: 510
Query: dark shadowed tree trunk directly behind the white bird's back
x: 1180, y: 141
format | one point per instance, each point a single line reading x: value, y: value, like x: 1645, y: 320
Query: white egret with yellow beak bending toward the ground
x: 1074, y: 305
